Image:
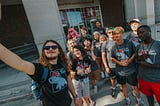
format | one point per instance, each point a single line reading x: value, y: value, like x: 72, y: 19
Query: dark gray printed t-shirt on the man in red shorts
x: 153, y: 50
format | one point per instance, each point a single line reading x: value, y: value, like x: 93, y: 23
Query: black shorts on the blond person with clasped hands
x: 131, y: 79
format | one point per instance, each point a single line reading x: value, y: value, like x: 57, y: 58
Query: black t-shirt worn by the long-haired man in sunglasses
x: 55, y: 88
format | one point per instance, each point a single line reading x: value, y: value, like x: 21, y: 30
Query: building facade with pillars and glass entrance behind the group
x: 34, y: 21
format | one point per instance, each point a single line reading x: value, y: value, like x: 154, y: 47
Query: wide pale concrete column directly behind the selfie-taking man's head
x: 45, y: 21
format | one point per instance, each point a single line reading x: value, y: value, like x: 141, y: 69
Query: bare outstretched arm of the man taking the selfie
x: 15, y: 61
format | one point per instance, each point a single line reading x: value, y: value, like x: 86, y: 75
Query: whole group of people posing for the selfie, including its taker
x: 132, y: 59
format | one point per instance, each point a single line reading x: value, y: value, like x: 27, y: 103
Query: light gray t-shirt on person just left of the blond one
x: 106, y: 47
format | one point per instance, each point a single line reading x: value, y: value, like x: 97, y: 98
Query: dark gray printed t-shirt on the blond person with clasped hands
x: 121, y: 52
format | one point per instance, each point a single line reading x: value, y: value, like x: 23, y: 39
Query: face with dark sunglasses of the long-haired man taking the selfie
x: 51, y: 50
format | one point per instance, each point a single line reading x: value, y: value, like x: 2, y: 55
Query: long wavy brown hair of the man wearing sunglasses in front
x: 62, y: 58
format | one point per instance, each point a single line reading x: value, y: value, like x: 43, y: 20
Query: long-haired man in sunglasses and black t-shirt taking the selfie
x: 55, y: 88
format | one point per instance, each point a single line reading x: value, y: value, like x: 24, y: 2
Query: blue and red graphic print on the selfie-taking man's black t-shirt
x: 57, y: 81
